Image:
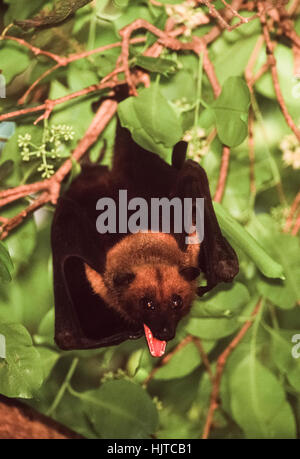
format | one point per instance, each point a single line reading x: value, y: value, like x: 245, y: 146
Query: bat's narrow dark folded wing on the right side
x: 217, y: 258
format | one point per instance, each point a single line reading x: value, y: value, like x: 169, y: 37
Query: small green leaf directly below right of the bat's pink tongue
x: 183, y: 362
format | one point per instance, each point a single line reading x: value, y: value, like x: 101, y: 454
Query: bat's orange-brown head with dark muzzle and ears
x: 157, y: 296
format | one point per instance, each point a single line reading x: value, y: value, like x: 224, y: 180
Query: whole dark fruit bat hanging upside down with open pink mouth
x: 117, y: 285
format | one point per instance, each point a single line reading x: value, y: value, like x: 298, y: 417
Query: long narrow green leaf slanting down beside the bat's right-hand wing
x: 248, y: 244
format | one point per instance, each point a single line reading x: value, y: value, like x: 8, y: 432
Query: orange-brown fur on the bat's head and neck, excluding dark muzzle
x: 156, y: 261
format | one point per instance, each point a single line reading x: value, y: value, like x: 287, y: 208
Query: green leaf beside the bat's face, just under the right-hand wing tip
x: 224, y: 301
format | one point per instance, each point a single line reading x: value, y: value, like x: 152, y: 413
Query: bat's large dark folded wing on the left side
x: 82, y: 319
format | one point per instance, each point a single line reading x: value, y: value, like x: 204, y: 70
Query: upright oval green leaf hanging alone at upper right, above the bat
x: 231, y: 111
